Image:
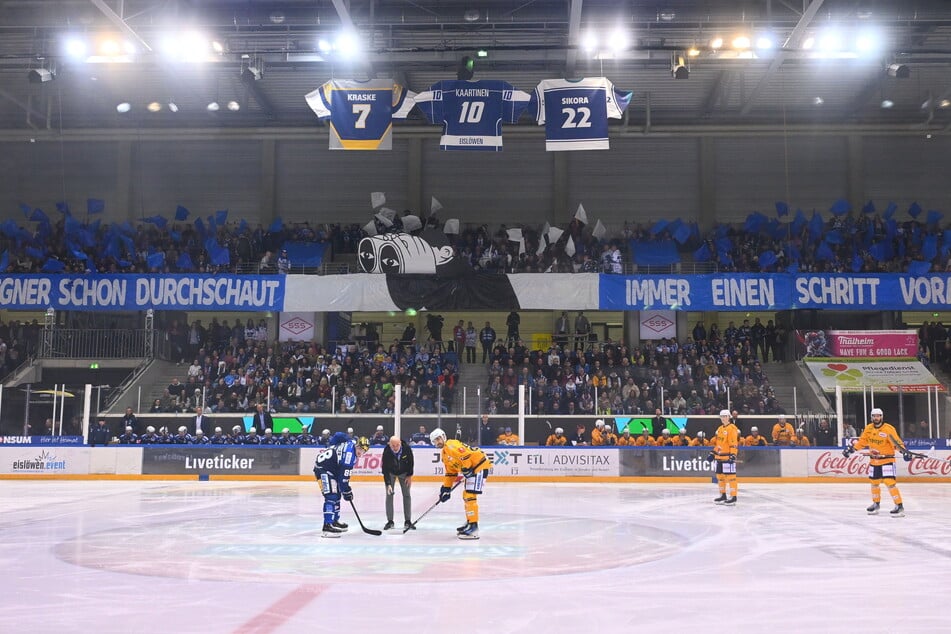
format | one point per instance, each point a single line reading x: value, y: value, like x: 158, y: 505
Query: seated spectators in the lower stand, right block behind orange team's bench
x: 696, y: 376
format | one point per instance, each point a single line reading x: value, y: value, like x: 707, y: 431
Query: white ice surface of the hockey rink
x: 151, y: 556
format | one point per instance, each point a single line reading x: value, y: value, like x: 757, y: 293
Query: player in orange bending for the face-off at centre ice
x: 473, y: 465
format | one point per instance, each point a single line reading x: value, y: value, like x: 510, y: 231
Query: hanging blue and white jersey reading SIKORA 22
x: 575, y: 112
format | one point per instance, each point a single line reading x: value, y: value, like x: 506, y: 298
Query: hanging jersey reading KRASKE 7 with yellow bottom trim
x: 361, y: 113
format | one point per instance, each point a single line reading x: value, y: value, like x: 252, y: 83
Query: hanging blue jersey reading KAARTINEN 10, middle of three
x: 472, y: 112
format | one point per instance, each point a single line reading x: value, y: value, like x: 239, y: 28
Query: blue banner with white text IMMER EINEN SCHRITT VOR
x: 775, y: 291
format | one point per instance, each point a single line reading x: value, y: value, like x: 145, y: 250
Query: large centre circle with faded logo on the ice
x: 288, y: 548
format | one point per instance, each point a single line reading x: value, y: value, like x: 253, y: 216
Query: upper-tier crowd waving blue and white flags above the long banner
x: 845, y: 242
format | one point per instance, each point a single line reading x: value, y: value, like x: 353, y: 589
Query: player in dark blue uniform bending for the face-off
x: 332, y: 470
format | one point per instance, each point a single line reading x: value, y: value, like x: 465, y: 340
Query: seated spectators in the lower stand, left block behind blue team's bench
x: 234, y: 367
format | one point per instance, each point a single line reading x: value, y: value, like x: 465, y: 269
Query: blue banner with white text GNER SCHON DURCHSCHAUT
x: 140, y: 292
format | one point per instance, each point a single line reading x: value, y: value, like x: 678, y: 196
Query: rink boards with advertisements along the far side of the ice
x: 529, y: 464
